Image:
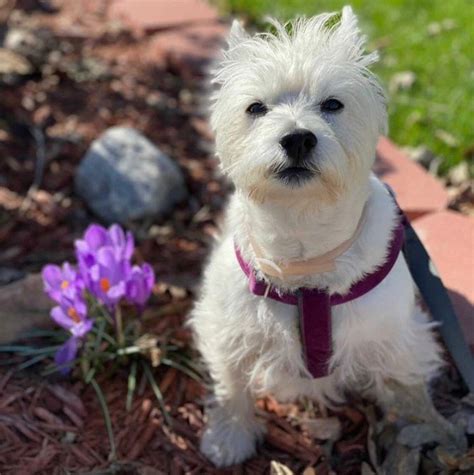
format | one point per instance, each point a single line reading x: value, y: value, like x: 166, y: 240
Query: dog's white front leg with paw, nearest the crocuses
x: 232, y: 429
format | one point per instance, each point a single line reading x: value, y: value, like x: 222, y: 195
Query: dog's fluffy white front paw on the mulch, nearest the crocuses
x: 227, y: 442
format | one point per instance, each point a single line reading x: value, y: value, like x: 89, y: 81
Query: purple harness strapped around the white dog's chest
x: 314, y: 305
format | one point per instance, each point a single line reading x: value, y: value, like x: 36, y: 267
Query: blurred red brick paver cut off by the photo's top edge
x: 151, y: 15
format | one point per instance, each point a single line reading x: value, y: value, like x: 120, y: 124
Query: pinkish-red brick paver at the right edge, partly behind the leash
x: 449, y: 239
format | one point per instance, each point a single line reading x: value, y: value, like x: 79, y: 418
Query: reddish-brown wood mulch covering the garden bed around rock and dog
x: 96, y: 75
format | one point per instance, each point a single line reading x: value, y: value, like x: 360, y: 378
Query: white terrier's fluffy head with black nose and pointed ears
x: 297, y: 112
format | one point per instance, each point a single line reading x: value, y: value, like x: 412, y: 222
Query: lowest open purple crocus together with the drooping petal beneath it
x: 71, y: 314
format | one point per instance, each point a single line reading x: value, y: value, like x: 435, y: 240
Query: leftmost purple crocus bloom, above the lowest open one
x: 61, y: 281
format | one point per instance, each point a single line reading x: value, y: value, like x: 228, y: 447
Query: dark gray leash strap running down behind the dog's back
x: 436, y: 297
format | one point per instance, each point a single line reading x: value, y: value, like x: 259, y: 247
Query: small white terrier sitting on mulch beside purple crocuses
x: 297, y: 116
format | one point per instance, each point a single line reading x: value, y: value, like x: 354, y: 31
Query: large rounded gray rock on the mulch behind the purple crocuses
x: 124, y: 177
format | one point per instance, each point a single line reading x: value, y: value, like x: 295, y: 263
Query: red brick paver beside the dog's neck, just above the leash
x: 418, y: 193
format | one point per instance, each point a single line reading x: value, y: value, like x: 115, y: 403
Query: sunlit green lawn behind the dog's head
x: 432, y: 39
